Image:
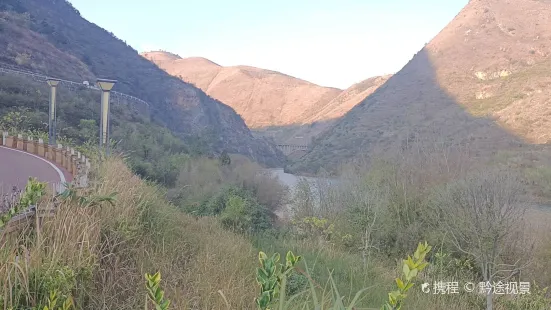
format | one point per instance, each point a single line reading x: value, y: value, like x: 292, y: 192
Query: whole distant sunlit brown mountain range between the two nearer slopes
x: 290, y: 110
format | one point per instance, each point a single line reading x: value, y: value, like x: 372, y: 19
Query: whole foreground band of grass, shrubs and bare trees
x: 344, y: 246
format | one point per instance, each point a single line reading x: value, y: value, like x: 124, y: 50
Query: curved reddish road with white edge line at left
x: 16, y: 167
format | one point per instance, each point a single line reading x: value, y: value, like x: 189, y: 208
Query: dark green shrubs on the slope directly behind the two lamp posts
x: 154, y: 151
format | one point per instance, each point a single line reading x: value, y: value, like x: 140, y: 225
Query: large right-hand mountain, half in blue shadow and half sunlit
x: 484, y: 80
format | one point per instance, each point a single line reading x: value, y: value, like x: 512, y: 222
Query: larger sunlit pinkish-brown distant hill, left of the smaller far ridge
x: 261, y: 97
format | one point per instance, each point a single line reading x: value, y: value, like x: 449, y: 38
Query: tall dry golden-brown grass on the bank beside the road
x: 110, y: 248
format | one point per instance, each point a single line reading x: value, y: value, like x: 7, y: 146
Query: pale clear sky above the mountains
x: 332, y: 43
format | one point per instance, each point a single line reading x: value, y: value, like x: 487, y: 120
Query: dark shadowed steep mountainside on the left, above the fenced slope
x: 51, y: 37
